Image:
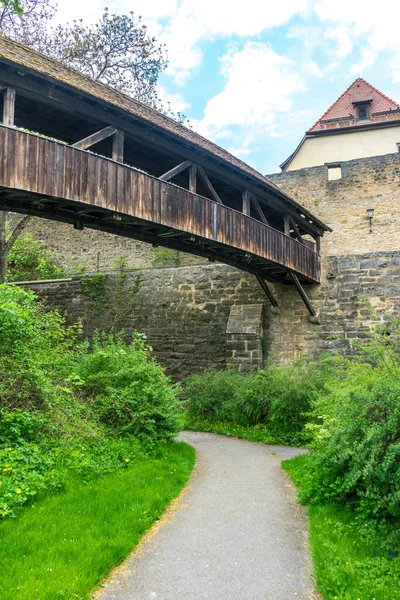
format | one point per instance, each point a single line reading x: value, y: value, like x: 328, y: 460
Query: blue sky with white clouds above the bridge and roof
x: 254, y: 75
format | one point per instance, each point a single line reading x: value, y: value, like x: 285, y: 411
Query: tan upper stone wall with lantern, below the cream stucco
x: 342, y: 204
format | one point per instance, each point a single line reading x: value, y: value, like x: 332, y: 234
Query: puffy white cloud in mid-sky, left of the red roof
x: 260, y: 86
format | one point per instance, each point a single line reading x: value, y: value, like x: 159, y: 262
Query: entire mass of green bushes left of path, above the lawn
x: 70, y: 407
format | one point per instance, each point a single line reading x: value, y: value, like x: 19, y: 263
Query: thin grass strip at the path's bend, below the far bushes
x: 255, y: 433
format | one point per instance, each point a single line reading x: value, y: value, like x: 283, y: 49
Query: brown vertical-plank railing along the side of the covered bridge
x: 37, y: 165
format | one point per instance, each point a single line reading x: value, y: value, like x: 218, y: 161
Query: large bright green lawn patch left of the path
x: 66, y: 544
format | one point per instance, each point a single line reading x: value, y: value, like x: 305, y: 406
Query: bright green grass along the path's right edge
x: 346, y: 565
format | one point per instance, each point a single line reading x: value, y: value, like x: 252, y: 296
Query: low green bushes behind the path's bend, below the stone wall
x: 279, y: 398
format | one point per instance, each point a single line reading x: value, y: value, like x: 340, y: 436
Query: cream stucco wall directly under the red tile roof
x: 346, y: 146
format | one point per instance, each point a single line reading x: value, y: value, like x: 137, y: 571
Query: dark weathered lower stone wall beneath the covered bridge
x: 185, y: 311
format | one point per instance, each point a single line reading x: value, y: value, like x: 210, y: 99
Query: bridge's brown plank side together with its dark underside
x: 49, y: 179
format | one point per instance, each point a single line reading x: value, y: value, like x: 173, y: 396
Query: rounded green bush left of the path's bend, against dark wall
x: 129, y: 391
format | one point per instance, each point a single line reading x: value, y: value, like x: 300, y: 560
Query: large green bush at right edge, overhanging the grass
x: 356, y: 458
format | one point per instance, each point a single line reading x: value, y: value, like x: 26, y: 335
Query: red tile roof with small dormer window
x: 342, y: 110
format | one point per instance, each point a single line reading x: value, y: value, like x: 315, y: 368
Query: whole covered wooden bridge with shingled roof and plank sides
x: 116, y: 165
